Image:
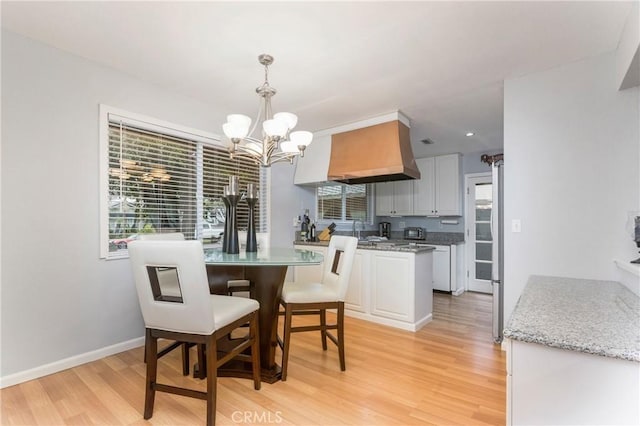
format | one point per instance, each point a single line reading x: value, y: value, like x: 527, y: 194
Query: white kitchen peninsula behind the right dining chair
x: 391, y: 283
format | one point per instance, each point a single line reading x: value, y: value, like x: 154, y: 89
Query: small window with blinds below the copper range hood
x: 340, y: 202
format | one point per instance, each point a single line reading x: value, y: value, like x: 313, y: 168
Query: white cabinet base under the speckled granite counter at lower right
x: 550, y: 386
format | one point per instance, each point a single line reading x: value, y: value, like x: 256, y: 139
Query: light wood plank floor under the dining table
x: 448, y: 373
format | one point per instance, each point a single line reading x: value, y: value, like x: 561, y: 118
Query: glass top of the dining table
x: 275, y: 256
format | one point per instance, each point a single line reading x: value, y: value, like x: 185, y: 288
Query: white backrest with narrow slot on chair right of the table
x: 338, y: 264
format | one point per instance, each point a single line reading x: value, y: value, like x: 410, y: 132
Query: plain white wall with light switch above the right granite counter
x: 572, y: 161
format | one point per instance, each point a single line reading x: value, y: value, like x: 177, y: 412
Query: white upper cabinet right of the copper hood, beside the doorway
x: 438, y: 192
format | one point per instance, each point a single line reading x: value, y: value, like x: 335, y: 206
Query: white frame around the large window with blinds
x: 163, y: 127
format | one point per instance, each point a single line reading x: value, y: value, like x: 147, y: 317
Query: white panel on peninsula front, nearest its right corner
x: 391, y: 281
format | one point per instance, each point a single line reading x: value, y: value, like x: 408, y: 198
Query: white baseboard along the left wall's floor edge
x: 74, y: 361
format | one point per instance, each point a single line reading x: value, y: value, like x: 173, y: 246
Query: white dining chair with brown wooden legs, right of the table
x: 314, y: 298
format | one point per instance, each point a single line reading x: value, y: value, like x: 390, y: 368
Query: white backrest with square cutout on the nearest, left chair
x: 152, y: 261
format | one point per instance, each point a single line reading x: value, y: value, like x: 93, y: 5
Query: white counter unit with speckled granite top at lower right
x: 573, y: 353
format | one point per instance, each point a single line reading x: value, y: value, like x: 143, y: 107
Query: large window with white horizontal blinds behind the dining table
x: 162, y: 178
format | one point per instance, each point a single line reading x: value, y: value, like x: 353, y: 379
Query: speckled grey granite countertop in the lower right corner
x: 590, y: 316
